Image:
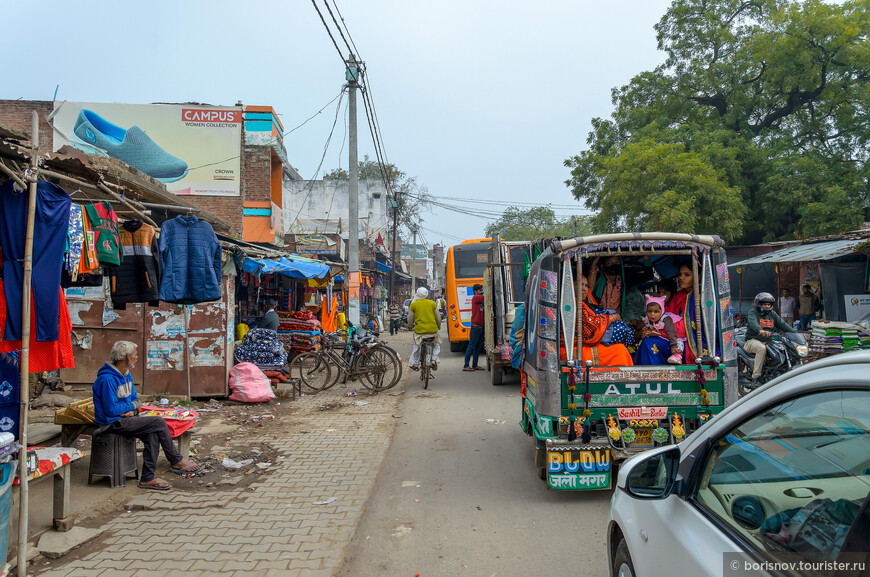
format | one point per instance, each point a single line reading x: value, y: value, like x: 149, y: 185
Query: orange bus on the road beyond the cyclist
x: 464, y: 268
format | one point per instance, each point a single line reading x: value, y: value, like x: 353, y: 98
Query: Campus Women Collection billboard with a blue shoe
x: 192, y: 149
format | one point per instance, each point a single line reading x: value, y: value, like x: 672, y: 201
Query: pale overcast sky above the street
x: 477, y: 99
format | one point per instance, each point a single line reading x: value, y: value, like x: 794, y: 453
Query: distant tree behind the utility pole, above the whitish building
x: 410, y: 196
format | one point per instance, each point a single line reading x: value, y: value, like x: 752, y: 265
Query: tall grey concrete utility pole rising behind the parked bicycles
x: 352, y: 76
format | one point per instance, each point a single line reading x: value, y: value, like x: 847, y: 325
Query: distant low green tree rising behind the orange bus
x: 536, y: 223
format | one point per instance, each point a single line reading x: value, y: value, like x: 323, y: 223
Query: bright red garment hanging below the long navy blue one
x: 46, y: 355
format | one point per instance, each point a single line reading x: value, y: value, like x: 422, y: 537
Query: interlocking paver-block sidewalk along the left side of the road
x: 329, y: 453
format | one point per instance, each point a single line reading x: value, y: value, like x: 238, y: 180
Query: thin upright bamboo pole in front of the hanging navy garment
x: 24, y: 490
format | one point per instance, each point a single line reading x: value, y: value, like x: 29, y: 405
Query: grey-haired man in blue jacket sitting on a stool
x: 116, y: 408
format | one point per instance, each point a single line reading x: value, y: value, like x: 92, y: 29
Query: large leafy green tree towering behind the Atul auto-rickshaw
x: 768, y: 104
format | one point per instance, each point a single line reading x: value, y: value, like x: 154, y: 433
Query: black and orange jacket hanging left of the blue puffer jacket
x: 137, y: 279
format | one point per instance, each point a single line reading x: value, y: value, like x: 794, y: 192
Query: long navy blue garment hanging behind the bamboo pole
x: 49, y: 241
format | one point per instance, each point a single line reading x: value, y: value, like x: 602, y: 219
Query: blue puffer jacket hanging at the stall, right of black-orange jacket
x: 191, y: 259
